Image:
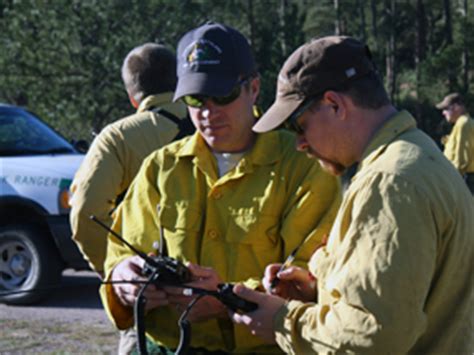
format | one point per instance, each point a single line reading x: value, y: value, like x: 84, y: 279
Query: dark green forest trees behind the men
x: 62, y: 58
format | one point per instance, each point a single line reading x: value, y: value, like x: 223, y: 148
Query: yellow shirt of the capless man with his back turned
x: 109, y: 167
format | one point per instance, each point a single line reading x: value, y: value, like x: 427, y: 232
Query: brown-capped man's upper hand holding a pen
x: 295, y: 283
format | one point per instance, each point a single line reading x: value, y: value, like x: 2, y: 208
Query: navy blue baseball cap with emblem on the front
x: 211, y: 60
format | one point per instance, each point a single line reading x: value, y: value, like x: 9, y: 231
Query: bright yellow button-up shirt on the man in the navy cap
x: 254, y: 215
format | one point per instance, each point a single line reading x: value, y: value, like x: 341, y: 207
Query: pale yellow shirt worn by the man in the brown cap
x: 396, y: 274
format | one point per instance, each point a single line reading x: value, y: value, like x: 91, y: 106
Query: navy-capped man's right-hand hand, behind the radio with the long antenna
x: 207, y: 307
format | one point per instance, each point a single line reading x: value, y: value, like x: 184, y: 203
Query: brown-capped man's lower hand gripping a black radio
x: 260, y: 321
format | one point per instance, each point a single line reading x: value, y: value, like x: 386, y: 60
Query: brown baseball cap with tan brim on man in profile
x: 322, y: 64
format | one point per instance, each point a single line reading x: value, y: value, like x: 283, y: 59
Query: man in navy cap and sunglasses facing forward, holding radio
x: 228, y: 201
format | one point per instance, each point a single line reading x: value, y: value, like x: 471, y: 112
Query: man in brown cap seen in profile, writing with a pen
x: 396, y: 273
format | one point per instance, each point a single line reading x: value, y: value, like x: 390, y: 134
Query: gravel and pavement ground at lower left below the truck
x: 70, y: 321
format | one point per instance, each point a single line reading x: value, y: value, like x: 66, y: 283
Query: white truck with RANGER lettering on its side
x: 37, y: 166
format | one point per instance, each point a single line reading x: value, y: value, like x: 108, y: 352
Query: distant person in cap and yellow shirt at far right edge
x: 459, y: 144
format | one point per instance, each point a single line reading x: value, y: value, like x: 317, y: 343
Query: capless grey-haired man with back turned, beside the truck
x: 113, y: 160
